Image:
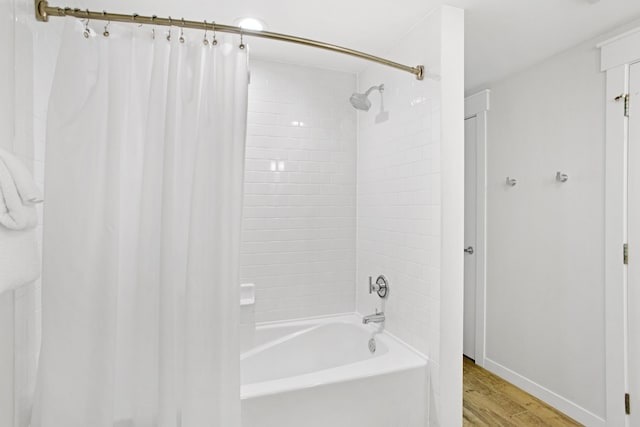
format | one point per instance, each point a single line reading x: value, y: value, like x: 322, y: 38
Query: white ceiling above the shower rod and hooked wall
x: 502, y: 36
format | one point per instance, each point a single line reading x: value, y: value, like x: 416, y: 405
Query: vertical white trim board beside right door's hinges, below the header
x: 615, y: 304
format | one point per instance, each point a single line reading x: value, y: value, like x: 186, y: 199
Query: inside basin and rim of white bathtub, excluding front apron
x: 298, y: 354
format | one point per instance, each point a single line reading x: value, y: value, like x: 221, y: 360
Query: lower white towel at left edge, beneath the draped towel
x: 19, y: 258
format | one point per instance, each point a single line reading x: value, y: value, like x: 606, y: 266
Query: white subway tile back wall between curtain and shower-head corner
x: 299, y: 225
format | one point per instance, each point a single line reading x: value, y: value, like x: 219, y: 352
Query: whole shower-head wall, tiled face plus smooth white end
x: 405, y: 166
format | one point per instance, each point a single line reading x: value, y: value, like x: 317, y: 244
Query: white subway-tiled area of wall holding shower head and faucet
x: 399, y: 206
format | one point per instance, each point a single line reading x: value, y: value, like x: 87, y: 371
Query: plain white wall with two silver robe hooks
x: 545, y: 258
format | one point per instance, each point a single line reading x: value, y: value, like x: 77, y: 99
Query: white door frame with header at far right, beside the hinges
x: 617, y: 55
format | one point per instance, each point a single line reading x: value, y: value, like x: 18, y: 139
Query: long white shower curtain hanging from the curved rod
x: 144, y: 177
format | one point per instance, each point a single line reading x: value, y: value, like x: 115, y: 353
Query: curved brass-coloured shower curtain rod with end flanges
x: 43, y: 11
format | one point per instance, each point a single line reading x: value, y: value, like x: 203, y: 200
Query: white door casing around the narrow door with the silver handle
x: 477, y: 105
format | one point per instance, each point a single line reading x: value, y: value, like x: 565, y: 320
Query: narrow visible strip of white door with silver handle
x: 470, y: 200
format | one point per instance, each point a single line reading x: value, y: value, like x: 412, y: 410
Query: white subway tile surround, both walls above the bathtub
x: 318, y: 205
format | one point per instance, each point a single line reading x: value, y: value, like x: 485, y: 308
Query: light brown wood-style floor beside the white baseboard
x: 492, y: 402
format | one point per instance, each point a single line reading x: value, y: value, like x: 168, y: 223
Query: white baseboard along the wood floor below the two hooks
x: 562, y: 404
